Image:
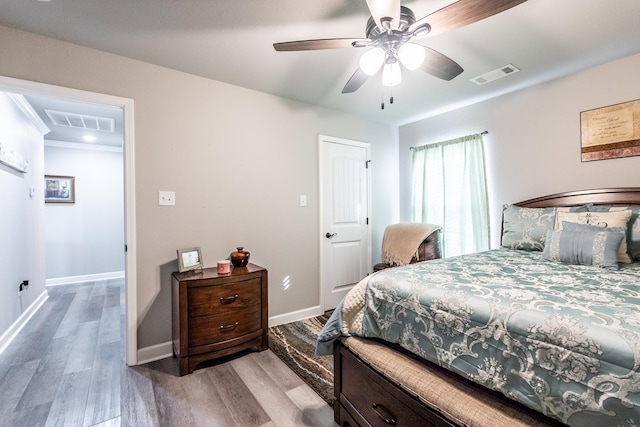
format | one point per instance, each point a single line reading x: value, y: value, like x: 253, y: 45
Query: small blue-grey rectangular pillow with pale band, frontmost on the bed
x: 584, y: 246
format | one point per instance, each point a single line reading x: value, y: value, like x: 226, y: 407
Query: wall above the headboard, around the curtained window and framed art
x: 533, y: 145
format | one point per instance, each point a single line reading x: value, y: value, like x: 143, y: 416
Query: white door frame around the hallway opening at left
x: 25, y: 87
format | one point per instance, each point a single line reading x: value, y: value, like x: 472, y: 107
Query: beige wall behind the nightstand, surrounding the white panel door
x: 237, y: 159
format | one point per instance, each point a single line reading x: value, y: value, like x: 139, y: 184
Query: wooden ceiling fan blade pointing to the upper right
x: 463, y: 12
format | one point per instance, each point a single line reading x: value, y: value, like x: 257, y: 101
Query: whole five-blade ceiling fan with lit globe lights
x: 392, y: 27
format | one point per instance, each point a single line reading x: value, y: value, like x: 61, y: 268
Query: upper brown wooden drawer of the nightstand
x: 204, y: 300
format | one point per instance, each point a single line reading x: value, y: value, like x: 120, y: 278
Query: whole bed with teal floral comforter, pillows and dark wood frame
x: 542, y: 331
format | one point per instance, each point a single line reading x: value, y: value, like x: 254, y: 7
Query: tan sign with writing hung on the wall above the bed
x: 610, y: 132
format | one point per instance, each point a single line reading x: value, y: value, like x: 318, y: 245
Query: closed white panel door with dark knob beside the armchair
x: 344, y: 204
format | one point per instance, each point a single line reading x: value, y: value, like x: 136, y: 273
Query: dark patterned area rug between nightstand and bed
x: 294, y: 343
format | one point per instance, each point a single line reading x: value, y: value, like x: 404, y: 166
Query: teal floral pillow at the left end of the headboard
x: 526, y: 228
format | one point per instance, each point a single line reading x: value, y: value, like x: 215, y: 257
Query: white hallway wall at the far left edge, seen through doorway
x: 21, y: 216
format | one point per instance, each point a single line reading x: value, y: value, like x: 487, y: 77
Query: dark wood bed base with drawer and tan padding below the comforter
x: 430, y: 396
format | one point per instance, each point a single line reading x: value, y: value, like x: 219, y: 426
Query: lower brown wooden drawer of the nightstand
x: 218, y: 327
